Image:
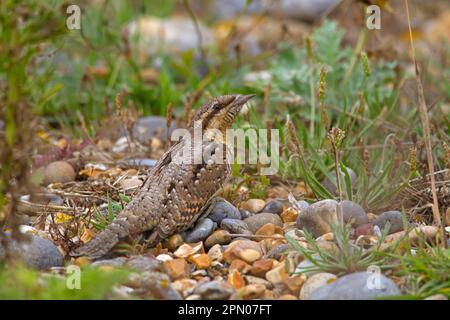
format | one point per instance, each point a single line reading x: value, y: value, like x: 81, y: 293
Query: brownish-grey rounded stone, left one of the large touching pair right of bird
x: 318, y: 217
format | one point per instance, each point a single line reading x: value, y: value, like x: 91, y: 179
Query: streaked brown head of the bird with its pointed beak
x: 220, y: 112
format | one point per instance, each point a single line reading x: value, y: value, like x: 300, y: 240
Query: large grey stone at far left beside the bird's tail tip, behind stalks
x: 36, y: 252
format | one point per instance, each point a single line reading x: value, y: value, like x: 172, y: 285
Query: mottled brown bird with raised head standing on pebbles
x: 180, y: 186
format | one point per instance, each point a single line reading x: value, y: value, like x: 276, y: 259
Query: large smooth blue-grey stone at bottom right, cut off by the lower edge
x: 357, y: 286
